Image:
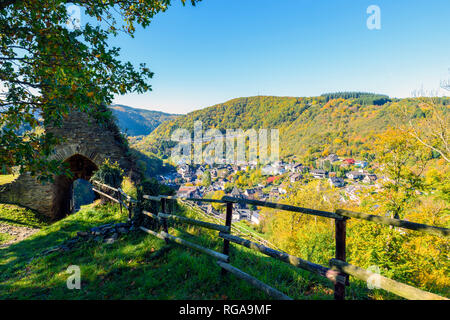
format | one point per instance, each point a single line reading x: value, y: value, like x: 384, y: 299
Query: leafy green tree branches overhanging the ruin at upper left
x: 48, y: 70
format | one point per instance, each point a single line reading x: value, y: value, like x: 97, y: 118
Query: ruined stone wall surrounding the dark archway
x: 83, y: 138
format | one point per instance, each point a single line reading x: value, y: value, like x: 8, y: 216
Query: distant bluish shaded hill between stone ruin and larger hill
x: 137, y: 122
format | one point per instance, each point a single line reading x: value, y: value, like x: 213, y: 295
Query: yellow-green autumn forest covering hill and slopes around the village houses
x: 404, y: 142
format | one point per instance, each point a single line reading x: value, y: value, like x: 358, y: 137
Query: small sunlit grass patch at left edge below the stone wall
x: 19, y: 216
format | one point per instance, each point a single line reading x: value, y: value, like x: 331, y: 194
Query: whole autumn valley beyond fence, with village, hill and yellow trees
x: 342, y: 151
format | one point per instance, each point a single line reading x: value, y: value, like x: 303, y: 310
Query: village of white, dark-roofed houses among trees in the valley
x: 349, y: 177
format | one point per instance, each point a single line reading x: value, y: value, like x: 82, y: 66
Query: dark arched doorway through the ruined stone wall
x: 82, y: 169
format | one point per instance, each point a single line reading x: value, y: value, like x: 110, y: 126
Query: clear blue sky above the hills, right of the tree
x: 224, y: 49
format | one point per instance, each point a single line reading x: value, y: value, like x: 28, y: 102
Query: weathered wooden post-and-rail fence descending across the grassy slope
x: 338, y: 271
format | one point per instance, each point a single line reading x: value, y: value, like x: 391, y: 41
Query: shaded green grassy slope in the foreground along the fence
x: 128, y: 268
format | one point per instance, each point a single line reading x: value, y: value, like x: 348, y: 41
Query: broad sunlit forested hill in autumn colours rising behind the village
x: 308, y: 126
